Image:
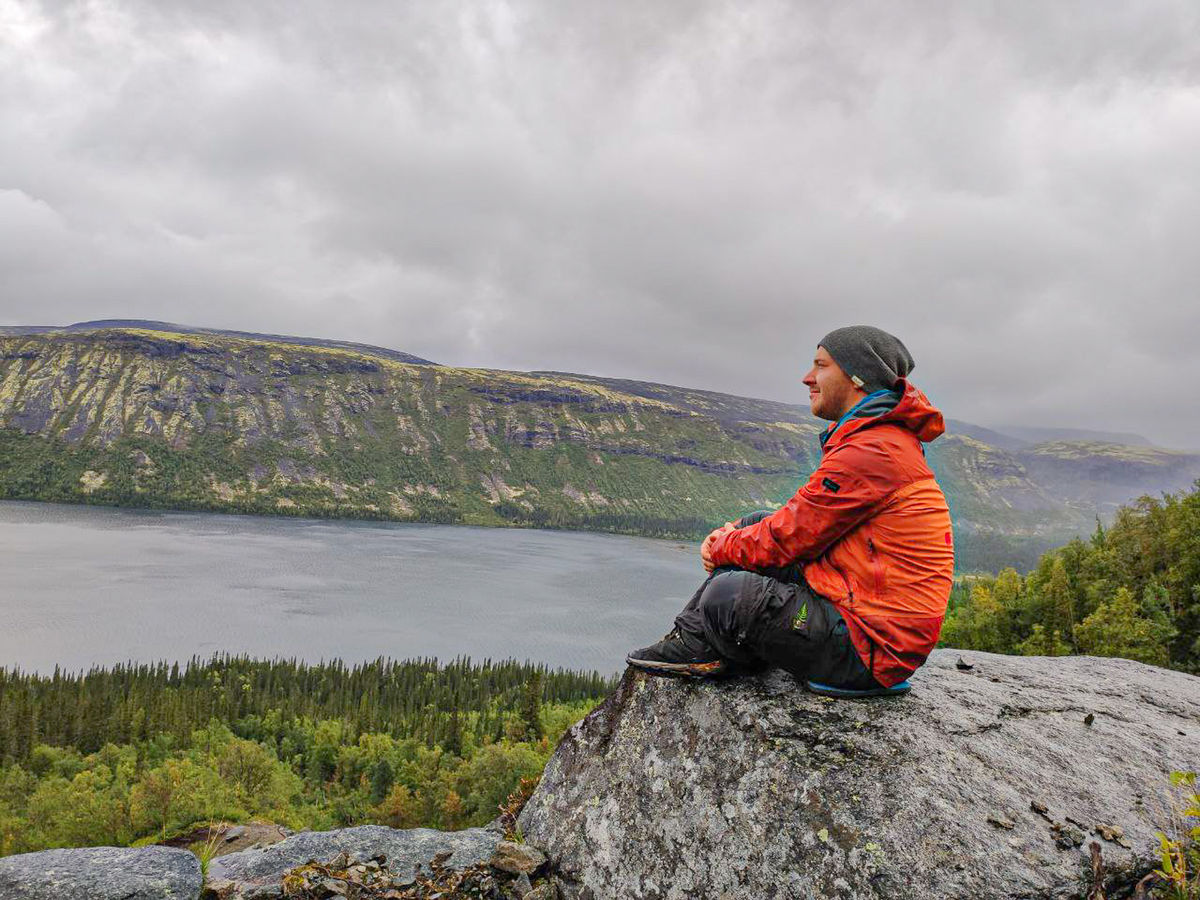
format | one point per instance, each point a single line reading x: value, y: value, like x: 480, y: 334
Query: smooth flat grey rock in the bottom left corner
x: 101, y: 874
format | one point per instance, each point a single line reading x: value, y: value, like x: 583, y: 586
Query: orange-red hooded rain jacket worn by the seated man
x: 873, y: 531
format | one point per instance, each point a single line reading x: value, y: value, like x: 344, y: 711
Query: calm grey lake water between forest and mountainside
x: 87, y: 586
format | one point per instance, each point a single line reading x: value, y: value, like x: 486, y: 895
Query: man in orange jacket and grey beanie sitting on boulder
x: 847, y: 585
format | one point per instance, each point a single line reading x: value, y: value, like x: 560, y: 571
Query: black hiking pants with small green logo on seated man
x: 773, y: 619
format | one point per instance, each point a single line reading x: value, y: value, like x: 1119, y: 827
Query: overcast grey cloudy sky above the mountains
x: 688, y: 193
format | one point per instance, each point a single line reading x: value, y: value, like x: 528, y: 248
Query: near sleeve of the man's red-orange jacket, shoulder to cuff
x: 847, y: 488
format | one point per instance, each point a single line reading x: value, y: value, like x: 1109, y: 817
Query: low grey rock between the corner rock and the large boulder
x: 257, y: 873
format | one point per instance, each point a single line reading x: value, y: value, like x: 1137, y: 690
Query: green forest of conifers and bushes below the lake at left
x: 137, y: 754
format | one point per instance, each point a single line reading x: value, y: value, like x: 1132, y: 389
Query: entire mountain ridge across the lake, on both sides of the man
x: 147, y: 415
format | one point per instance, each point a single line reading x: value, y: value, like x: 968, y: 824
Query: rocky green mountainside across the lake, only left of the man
x: 140, y: 417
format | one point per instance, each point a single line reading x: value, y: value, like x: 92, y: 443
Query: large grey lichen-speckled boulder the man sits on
x: 983, y: 783
